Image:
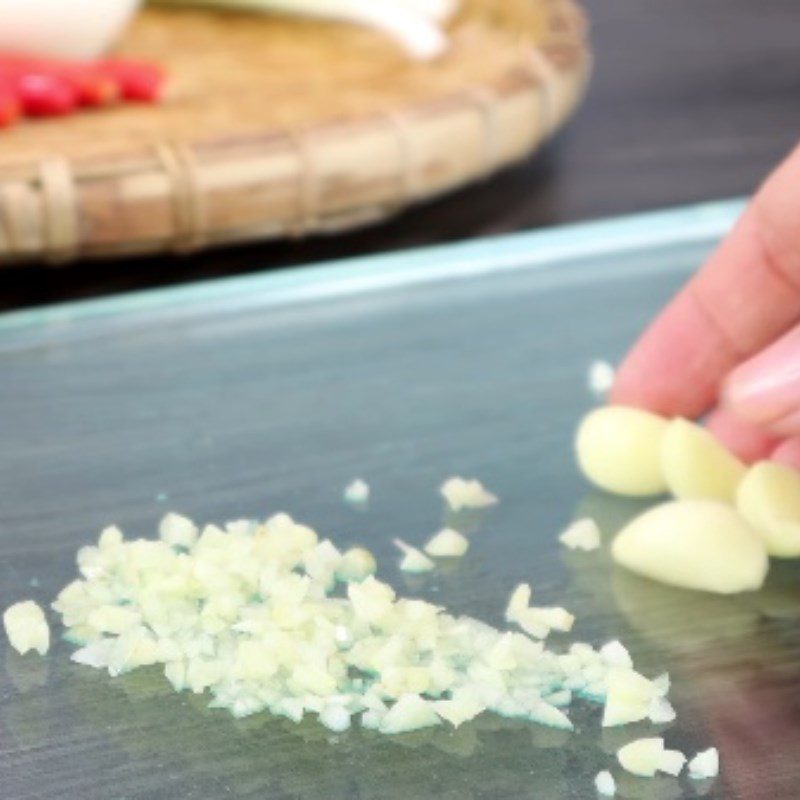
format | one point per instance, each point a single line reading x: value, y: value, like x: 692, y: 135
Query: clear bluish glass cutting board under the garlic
x: 253, y: 395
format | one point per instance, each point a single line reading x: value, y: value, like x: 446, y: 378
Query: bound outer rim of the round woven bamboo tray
x: 44, y: 213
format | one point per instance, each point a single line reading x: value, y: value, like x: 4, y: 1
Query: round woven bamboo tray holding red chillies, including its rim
x: 276, y: 128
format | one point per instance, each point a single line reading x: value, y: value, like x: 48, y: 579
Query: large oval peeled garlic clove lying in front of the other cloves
x: 694, y: 544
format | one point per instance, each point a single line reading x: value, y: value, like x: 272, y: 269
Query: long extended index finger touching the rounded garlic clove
x: 744, y: 297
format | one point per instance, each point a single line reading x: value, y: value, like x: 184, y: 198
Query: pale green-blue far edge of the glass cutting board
x: 527, y: 250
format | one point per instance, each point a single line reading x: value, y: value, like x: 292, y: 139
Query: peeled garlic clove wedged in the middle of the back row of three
x: 696, y: 465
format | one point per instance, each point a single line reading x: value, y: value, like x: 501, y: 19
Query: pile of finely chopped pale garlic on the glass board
x: 266, y: 616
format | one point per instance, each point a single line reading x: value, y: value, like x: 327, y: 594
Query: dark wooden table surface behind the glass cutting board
x: 692, y: 100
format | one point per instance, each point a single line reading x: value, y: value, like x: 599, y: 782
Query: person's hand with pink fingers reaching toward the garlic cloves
x: 728, y: 344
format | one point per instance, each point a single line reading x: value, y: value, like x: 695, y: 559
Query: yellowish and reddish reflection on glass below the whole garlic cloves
x: 735, y: 661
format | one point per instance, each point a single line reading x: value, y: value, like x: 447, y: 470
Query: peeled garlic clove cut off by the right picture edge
x: 769, y: 499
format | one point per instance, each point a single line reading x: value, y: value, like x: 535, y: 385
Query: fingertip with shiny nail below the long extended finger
x: 765, y: 389
